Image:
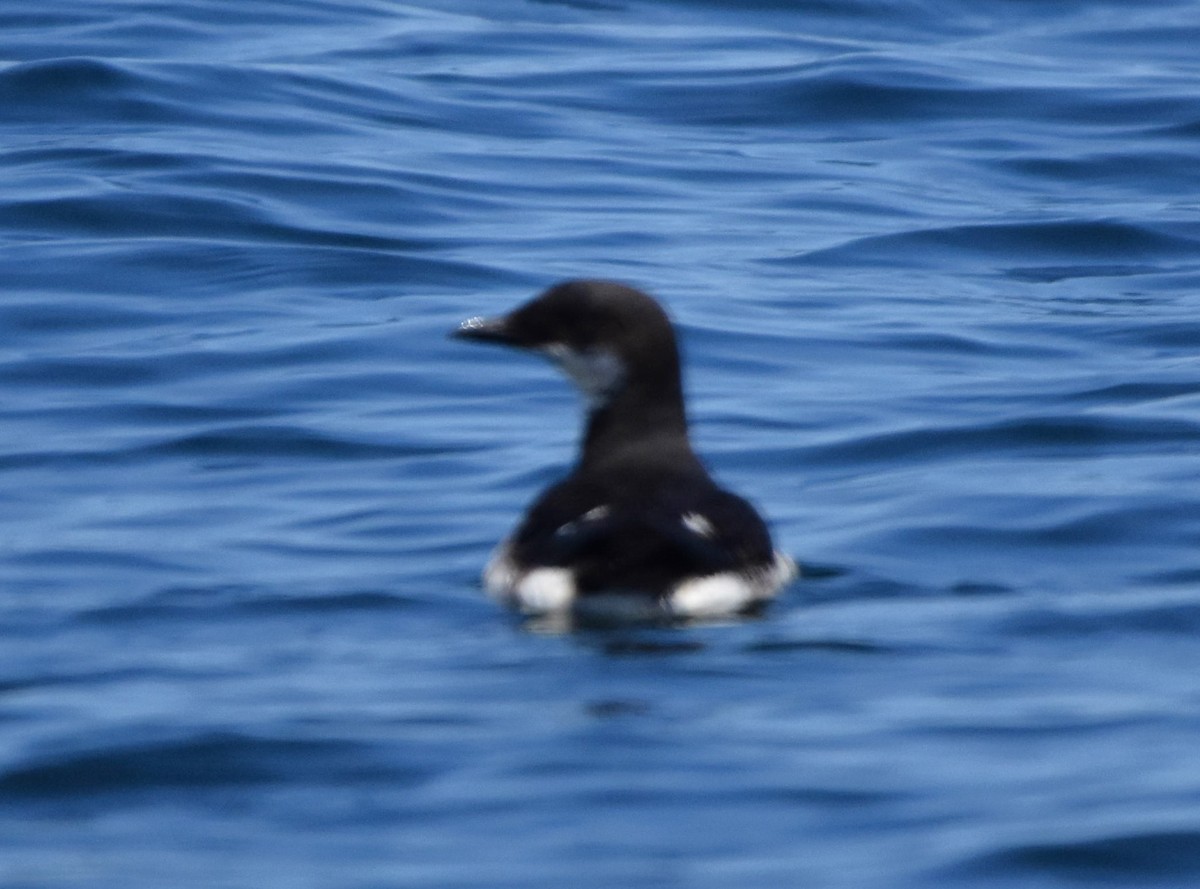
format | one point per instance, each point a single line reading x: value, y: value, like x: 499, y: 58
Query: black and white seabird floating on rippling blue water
x: 638, y: 521
